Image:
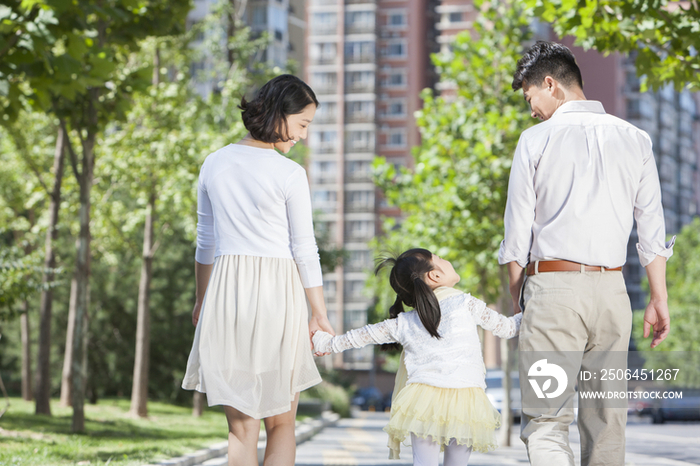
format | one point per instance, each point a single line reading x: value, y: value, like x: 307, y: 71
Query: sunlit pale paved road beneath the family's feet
x: 361, y: 442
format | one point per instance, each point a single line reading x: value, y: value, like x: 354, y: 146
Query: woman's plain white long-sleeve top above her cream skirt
x: 256, y: 202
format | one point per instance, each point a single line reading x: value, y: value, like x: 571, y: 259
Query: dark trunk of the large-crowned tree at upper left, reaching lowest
x: 82, y: 278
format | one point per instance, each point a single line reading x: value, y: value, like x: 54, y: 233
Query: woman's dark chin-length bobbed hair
x: 265, y: 117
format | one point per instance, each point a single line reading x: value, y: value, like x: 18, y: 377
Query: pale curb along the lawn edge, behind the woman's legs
x: 215, y: 455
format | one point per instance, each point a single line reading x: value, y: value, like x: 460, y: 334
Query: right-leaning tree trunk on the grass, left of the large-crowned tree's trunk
x: 43, y: 369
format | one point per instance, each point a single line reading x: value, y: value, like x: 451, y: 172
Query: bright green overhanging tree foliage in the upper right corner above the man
x: 664, y: 34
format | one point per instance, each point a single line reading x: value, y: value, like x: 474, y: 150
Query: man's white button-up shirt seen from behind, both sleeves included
x: 577, y: 182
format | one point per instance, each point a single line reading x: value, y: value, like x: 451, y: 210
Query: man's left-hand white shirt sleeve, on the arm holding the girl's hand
x: 520, y: 208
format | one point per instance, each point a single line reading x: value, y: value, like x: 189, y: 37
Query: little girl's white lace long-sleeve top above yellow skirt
x: 453, y: 361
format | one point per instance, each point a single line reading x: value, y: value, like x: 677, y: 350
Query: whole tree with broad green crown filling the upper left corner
x: 72, y: 59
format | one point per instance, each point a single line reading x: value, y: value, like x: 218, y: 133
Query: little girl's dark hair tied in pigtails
x: 407, y: 279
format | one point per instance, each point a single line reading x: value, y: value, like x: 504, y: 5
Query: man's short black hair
x: 547, y: 59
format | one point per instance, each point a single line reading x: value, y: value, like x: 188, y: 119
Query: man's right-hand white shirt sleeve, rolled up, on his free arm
x: 649, y: 214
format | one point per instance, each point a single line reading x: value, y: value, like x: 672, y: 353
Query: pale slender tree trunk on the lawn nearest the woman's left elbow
x: 139, y: 389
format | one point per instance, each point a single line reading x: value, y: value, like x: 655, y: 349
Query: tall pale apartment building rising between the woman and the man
x: 367, y: 61
